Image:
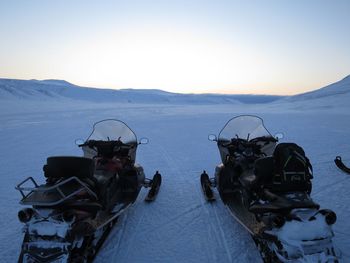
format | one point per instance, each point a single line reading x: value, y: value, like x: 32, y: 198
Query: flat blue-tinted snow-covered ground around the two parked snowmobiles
x: 179, y: 226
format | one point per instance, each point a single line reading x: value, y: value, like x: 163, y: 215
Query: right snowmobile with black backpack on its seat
x: 266, y: 187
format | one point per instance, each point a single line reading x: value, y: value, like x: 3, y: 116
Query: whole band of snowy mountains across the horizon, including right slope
x: 334, y: 95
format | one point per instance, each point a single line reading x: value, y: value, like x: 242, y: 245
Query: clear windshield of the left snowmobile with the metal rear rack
x: 112, y: 130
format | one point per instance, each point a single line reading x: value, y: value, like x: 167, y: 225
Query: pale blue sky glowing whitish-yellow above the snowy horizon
x: 261, y: 47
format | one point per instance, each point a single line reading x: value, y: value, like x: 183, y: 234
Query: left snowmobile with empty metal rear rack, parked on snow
x: 71, y: 214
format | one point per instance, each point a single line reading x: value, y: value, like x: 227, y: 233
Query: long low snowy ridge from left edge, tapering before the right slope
x: 12, y: 89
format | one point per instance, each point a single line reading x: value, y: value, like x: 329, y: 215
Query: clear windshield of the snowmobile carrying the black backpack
x: 245, y: 127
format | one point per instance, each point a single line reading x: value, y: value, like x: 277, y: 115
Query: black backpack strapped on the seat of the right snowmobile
x: 293, y: 171
